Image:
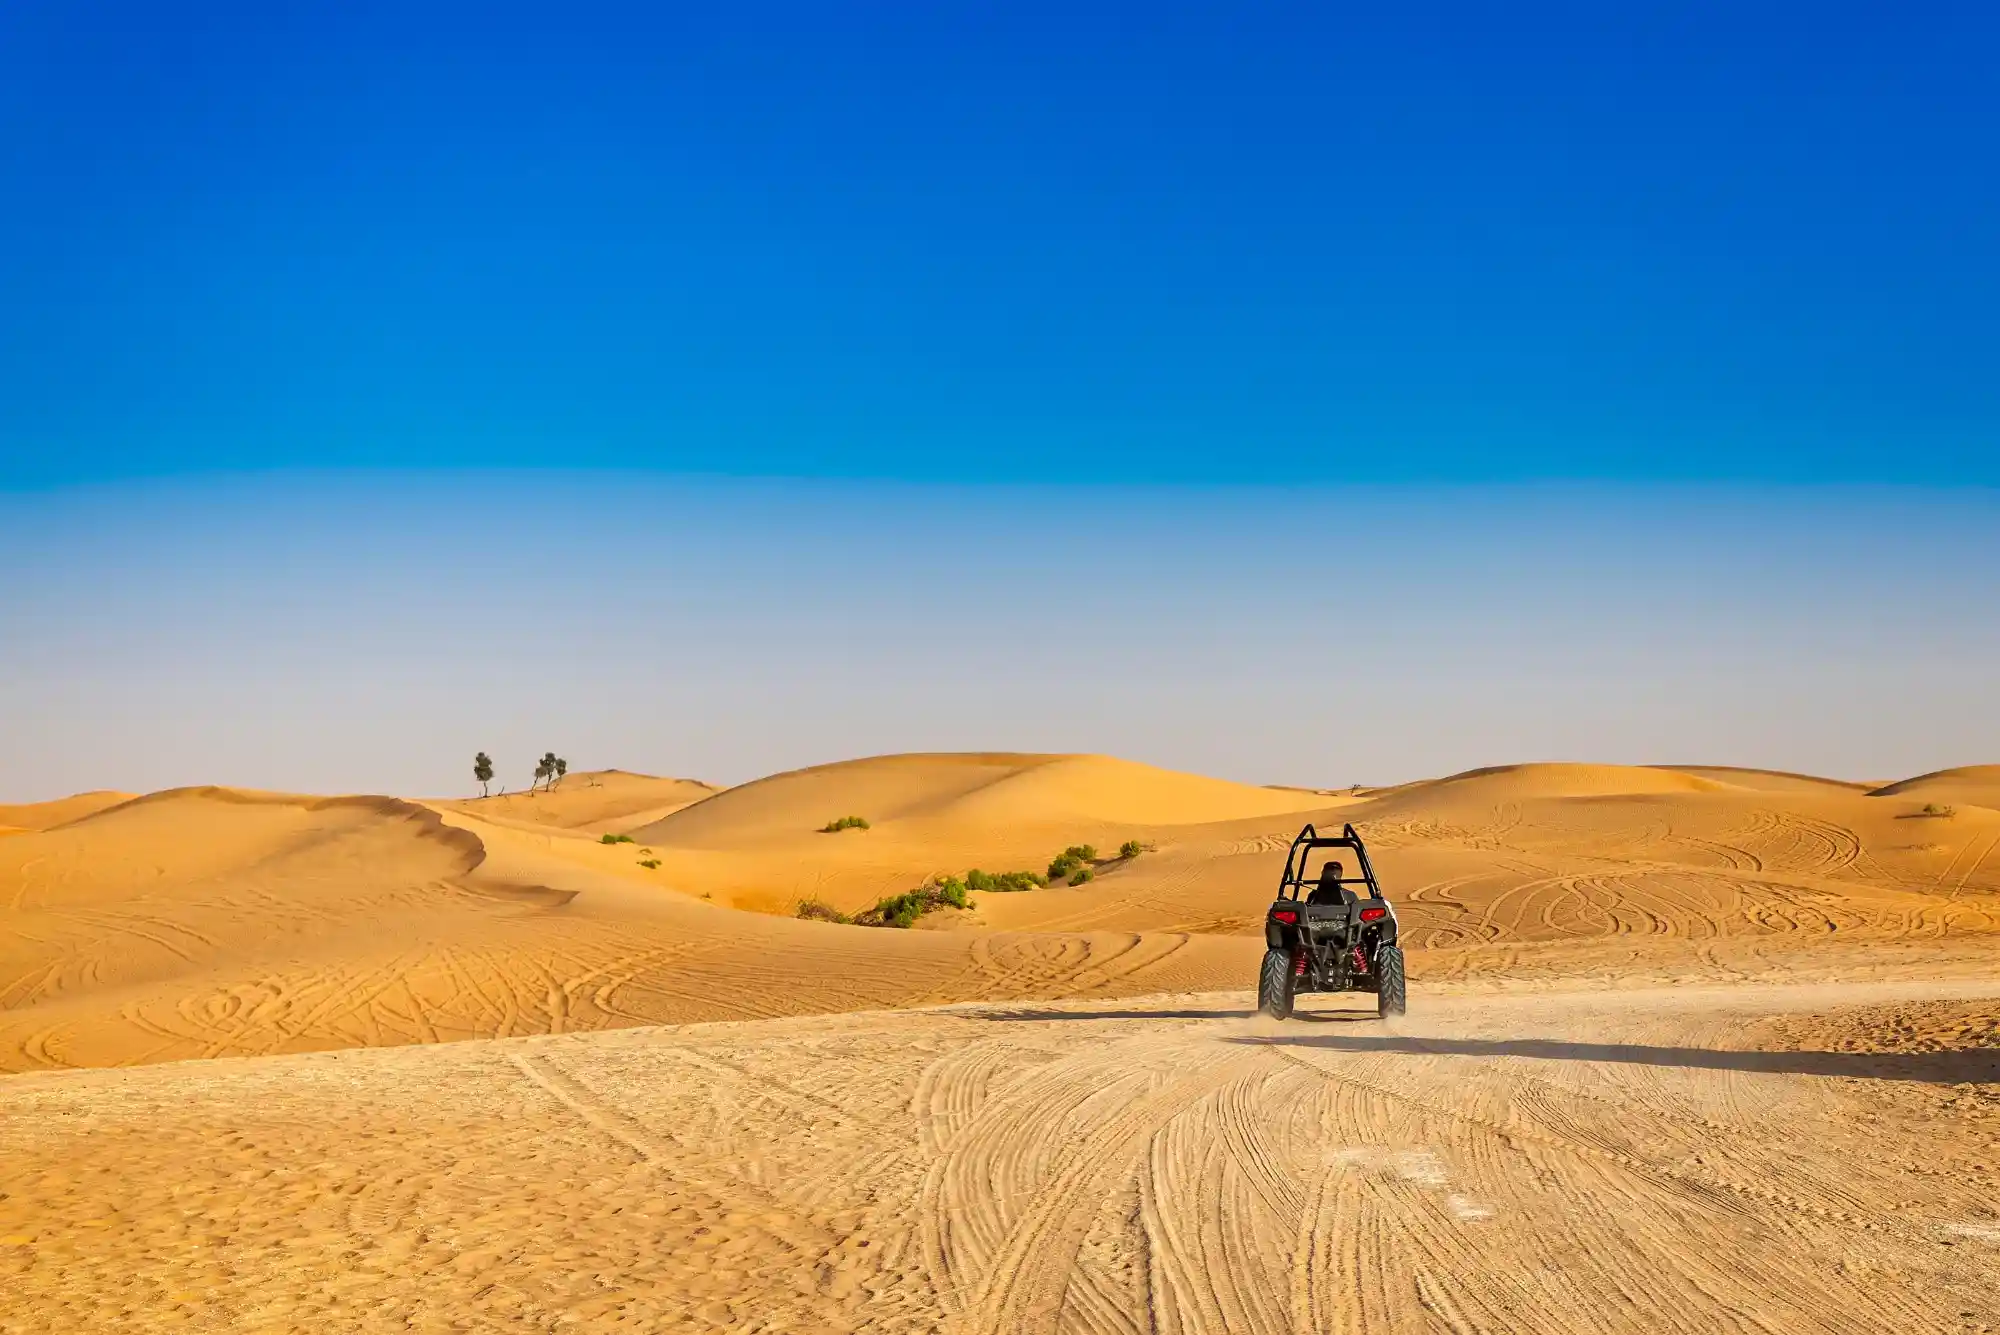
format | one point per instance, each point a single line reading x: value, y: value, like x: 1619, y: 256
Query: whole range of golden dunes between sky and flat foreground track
x: 215, y: 922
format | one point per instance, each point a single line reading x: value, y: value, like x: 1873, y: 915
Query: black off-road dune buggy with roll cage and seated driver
x: 1329, y: 930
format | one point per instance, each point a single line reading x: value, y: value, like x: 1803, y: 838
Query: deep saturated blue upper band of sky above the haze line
x: 1153, y: 243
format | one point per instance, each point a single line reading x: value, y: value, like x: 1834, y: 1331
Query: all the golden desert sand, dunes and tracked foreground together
x: 1691, y: 1048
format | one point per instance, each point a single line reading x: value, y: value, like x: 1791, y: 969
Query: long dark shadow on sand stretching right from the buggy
x: 1961, y: 1066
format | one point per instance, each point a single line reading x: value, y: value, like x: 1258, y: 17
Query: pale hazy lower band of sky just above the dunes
x: 369, y: 633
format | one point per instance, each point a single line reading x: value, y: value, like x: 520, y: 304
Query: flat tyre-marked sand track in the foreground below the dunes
x: 1691, y: 1160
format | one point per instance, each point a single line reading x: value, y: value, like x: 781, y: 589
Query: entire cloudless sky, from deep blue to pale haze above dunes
x: 1291, y: 393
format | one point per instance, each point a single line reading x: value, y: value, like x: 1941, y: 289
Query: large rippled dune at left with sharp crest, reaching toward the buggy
x: 215, y: 922
